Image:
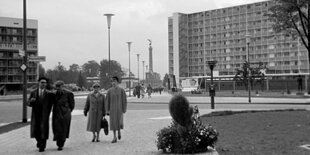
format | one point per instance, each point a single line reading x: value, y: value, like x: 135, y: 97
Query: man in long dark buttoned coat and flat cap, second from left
x: 61, y: 119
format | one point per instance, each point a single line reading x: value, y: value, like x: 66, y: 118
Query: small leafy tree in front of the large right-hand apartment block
x: 257, y: 74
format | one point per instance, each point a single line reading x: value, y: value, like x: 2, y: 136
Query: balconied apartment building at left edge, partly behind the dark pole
x: 11, y: 41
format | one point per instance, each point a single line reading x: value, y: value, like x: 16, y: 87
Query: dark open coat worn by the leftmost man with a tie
x: 41, y: 109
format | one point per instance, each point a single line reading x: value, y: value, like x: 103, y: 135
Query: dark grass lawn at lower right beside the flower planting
x: 256, y: 133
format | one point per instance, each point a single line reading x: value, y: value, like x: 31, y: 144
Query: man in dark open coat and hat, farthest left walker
x: 40, y: 100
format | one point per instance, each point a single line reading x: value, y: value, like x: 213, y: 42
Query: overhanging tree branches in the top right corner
x: 291, y: 17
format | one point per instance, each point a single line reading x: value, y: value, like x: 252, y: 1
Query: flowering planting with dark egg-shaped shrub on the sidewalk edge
x: 184, y: 137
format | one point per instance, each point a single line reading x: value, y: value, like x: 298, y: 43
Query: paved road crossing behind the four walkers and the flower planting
x: 11, y: 111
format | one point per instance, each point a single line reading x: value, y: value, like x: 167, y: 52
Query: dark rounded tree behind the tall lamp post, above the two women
x: 116, y: 70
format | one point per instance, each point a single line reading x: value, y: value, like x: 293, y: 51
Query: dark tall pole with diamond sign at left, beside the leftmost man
x: 25, y: 62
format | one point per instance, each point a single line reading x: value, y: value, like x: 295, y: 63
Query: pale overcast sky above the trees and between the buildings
x: 76, y: 31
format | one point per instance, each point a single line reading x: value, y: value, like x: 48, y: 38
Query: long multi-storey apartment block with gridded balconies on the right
x: 219, y: 34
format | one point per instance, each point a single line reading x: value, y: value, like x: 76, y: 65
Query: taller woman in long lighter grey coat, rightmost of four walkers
x: 116, y: 107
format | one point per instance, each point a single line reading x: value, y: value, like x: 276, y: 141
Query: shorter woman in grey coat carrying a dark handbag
x: 96, y: 111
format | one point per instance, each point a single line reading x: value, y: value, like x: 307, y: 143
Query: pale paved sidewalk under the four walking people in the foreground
x: 138, y: 137
